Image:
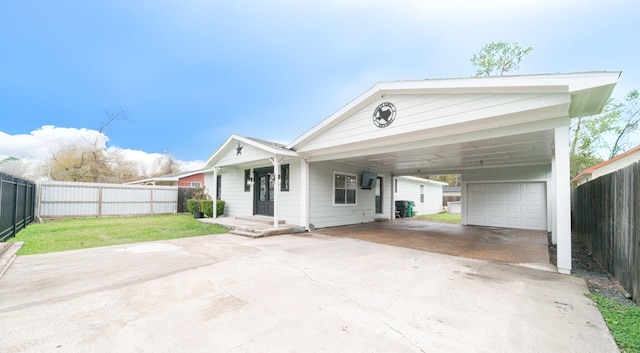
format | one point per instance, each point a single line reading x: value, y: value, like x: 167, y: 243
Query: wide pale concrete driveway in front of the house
x: 306, y: 293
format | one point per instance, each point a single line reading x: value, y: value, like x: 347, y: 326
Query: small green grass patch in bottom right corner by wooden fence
x: 623, y: 322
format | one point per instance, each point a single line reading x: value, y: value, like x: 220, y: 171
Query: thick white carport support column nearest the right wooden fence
x: 563, y: 198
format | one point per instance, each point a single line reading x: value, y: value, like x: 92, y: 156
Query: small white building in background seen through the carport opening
x: 426, y: 194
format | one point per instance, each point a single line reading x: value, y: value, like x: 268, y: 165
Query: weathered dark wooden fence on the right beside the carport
x: 606, y: 219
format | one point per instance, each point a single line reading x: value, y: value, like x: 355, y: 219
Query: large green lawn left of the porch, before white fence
x: 94, y: 232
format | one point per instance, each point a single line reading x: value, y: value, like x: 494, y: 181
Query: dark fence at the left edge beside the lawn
x: 17, y: 202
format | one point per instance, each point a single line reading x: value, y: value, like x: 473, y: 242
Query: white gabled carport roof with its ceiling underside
x: 523, y: 135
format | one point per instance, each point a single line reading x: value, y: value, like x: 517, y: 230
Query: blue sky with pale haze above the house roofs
x: 190, y: 73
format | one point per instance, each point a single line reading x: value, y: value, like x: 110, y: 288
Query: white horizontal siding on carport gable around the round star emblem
x: 423, y: 112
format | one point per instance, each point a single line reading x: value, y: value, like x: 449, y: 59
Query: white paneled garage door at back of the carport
x: 509, y: 205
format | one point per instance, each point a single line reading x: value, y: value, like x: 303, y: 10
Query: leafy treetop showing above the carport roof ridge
x: 498, y: 58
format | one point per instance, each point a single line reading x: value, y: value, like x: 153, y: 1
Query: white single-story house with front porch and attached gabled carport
x: 507, y: 136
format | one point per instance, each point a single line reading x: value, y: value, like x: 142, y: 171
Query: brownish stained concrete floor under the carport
x: 522, y: 247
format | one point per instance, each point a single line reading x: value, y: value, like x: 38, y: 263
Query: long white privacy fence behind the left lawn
x: 71, y: 199
